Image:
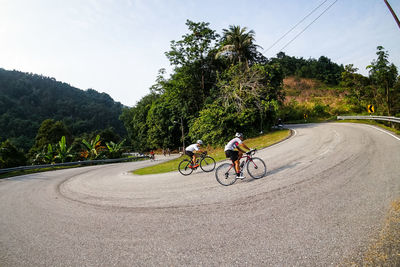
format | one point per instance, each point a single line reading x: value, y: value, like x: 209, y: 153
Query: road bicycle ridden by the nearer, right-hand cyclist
x: 226, y: 173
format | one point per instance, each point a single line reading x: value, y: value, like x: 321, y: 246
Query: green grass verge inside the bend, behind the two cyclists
x: 218, y: 153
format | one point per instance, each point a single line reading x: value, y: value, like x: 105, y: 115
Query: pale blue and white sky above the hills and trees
x: 118, y: 46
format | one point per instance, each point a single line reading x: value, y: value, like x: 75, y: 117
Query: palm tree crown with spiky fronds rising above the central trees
x: 238, y: 45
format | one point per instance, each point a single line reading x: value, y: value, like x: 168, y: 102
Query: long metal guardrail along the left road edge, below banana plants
x: 85, y: 162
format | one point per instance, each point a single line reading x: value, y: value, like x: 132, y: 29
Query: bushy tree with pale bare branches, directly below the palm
x: 248, y: 102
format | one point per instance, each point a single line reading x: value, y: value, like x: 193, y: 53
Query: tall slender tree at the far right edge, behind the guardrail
x: 383, y: 76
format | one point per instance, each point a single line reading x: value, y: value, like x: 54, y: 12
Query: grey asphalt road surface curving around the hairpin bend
x: 323, y: 201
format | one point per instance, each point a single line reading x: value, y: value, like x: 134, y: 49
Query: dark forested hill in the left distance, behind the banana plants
x: 26, y: 100
